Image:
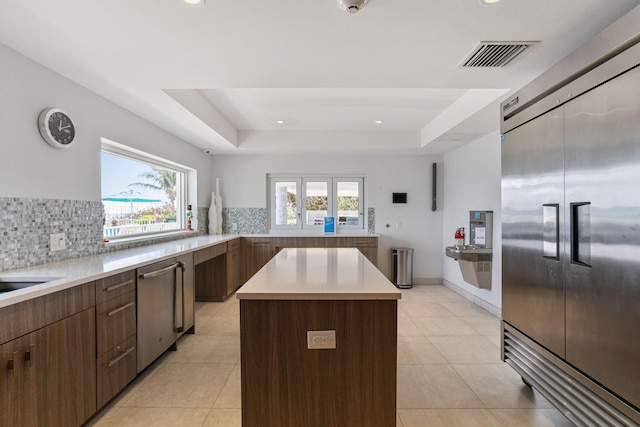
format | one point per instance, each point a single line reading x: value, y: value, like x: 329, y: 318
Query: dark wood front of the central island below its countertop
x: 284, y: 384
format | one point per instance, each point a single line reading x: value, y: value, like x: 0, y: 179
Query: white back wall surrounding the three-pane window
x: 243, y: 184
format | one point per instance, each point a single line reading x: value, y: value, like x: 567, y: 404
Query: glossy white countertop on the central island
x: 319, y: 274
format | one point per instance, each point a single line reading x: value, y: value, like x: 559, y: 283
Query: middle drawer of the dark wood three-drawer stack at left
x: 116, y: 321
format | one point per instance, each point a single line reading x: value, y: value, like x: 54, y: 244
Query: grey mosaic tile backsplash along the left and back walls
x: 25, y: 226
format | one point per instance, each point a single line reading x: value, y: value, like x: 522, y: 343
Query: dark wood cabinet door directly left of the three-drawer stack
x: 64, y: 369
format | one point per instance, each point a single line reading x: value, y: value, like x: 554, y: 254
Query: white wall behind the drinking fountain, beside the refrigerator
x: 472, y: 182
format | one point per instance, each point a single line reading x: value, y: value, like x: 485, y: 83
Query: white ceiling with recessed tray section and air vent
x: 221, y: 74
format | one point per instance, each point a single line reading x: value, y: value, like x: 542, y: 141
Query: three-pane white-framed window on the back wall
x: 303, y: 202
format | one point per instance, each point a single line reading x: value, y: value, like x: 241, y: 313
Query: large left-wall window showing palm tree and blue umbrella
x: 141, y: 194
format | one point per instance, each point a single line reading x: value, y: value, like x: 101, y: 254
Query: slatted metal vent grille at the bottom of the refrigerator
x: 577, y: 402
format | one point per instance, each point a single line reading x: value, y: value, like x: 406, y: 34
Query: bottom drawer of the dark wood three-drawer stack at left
x: 116, y: 369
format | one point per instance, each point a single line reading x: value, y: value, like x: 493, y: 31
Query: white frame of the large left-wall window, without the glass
x: 182, y: 186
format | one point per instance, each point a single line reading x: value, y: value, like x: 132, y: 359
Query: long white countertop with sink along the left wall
x: 77, y: 271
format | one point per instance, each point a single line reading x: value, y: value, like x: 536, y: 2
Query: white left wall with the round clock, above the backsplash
x: 31, y: 168
